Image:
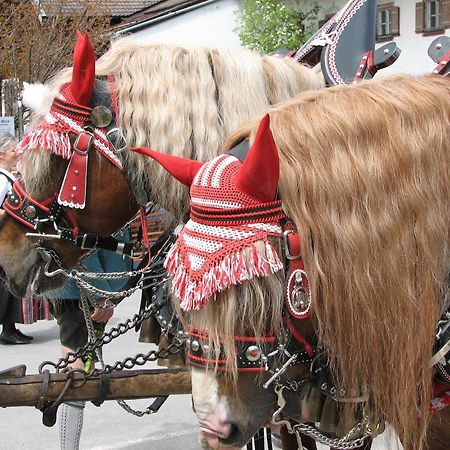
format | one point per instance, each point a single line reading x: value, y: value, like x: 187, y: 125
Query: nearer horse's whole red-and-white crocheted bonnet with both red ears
x: 233, y: 205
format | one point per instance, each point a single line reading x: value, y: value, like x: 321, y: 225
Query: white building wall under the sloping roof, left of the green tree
x: 210, y: 25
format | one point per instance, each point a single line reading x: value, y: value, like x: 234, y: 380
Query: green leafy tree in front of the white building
x: 267, y: 25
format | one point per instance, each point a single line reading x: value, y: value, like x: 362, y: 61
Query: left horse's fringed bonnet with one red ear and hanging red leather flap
x: 71, y: 112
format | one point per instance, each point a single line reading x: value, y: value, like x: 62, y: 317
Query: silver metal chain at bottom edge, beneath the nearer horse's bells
x: 345, y: 443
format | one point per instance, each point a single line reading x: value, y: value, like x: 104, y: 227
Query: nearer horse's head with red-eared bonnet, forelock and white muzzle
x: 233, y: 237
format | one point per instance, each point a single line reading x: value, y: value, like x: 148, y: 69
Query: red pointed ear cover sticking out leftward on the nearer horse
x: 183, y: 169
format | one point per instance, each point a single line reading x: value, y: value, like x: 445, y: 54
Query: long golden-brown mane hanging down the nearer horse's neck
x: 364, y: 175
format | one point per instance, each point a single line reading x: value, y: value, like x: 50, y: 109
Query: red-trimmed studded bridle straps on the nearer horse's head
x: 252, y: 354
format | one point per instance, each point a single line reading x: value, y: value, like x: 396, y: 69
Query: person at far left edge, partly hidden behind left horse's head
x: 11, y: 311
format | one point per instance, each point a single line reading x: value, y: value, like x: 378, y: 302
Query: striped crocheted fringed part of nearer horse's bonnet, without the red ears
x: 209, y: 256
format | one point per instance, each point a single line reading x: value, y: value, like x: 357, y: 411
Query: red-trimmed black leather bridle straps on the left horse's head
x: 38, y: 215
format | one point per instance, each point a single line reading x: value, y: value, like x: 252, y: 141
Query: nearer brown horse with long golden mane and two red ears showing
x: 364, y: 182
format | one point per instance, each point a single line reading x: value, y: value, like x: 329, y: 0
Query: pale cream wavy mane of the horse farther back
x: 185, y: 101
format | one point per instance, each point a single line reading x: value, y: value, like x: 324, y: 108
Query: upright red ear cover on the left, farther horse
x: 83, y: 75
